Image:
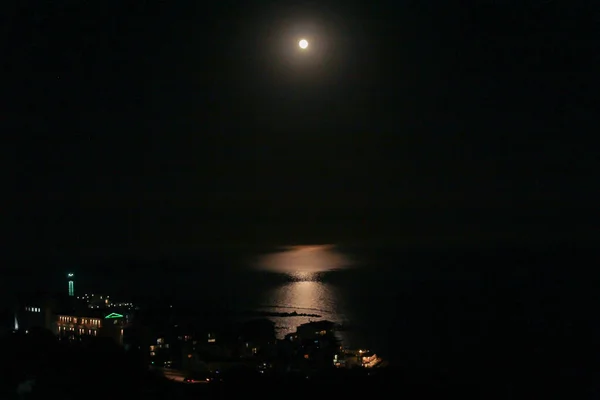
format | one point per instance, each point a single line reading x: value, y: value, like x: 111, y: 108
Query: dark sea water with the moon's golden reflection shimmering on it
x: 411, y: 307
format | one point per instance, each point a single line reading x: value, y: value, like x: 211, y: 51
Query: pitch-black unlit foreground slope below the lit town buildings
x: 101, y: 369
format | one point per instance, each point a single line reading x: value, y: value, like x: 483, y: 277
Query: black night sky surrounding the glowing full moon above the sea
x: 146, y: 127
